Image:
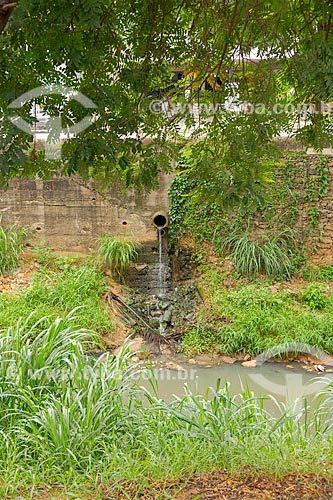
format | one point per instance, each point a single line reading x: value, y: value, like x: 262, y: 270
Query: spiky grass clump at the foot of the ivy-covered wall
x: 266, y: 254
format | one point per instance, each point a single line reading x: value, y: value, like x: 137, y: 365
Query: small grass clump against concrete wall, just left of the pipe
x: 117, y: 253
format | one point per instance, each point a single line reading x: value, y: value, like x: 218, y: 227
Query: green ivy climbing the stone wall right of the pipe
x: 299, y: 183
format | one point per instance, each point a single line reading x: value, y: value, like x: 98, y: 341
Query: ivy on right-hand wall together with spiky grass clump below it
x: 273, y: 236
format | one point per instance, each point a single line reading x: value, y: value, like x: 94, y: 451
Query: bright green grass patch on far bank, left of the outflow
x: 55, y: 291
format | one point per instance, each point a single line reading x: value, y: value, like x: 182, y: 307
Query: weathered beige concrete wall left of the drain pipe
x: 67, y: 214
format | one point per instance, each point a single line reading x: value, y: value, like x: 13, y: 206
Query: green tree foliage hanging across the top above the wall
x: 125, y: 56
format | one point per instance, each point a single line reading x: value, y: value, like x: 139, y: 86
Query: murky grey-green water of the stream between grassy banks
x: 289, y: 386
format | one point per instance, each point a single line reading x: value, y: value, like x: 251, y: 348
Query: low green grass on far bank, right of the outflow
x: 254, y: 318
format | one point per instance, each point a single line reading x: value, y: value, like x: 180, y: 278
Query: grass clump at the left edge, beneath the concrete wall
x: 12, y: 241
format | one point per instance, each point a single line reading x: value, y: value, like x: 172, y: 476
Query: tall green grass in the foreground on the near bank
x: 67, y: 419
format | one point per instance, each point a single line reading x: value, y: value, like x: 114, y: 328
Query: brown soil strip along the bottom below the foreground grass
x: 216, y: 485
